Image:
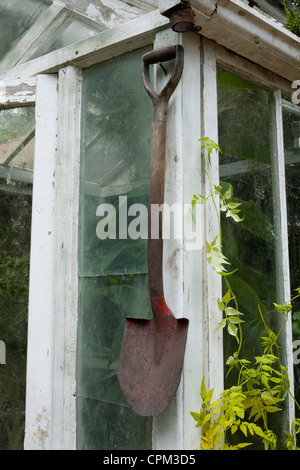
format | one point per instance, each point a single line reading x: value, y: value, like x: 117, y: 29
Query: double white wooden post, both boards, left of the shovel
x: 51, y: 385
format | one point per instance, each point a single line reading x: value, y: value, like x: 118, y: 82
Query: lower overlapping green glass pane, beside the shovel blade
x: 105, y: 303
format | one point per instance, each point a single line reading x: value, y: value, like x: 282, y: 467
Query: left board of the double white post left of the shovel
x: 41, y: 294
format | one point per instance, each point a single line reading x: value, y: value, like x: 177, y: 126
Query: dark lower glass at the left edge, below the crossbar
x: 15, y: 221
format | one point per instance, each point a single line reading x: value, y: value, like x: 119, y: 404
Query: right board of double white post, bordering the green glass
x: 66, y: 275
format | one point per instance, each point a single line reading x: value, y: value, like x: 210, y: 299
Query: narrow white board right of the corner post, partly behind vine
x: 212, y: 284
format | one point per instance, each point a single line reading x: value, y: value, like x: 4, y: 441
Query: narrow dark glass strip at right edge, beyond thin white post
x: 291, y: 123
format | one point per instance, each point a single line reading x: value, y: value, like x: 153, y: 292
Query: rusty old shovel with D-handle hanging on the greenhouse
x: 152, y: 352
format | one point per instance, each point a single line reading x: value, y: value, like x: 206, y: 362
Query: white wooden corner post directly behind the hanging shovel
x: 174, y: 429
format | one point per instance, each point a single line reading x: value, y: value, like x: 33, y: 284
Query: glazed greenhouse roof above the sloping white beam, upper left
x: 32, y: 28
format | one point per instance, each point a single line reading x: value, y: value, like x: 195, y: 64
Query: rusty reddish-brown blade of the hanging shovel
x: 151, y: 361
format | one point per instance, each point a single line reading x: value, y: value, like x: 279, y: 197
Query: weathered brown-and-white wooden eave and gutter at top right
x: 251, y: 34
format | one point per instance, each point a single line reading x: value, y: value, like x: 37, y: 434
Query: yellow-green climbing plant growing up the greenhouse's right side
x: 262, y: 382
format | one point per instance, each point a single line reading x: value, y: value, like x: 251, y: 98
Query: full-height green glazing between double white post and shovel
x: 115, y: 170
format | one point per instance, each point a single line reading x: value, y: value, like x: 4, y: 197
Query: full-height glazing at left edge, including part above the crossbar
x: 16, y: 164
